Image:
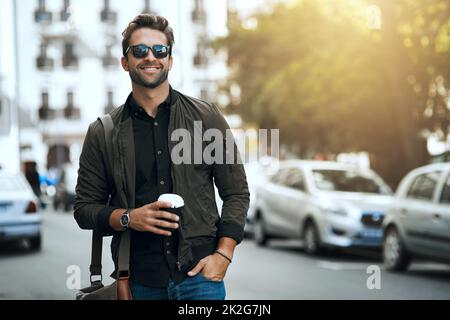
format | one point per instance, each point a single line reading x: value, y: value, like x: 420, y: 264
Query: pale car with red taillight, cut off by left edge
x: 19, y: 211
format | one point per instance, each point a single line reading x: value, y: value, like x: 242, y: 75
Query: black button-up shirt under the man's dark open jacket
x: 153, y: 257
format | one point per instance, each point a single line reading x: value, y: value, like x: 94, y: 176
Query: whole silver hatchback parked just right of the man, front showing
x: 324, y: 203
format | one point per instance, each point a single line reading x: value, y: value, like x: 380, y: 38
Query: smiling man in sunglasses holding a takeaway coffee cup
x: 170, y: 258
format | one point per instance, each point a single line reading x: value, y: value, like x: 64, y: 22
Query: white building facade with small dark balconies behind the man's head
x: 69, y: 64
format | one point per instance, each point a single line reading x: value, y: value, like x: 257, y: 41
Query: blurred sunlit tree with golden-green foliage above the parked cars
x: 319, y: 71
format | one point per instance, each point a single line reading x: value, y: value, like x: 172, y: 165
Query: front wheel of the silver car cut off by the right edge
x: 395, y: 256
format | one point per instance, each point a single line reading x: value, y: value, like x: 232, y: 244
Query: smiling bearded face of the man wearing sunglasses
x: 148, y: 72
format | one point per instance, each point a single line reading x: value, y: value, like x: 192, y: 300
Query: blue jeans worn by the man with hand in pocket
x: 197, y: 287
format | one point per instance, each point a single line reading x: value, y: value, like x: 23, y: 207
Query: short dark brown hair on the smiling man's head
x: 148, y: 21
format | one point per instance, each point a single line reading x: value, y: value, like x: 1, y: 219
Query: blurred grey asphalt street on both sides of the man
x: 280, y: 271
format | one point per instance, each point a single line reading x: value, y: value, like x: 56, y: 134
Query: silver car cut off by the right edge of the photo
x: 418, y: 224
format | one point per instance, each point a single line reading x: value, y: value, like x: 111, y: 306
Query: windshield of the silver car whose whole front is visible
x: 348, y: 181
